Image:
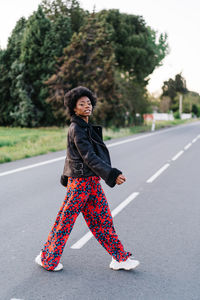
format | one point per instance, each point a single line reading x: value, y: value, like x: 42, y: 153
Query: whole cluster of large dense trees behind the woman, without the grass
x: 61, y: 46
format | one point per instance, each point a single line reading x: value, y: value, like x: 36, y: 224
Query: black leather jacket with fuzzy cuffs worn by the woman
x: 87, y: 155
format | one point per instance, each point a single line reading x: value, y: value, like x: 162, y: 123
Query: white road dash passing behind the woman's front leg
x: 80, y: 243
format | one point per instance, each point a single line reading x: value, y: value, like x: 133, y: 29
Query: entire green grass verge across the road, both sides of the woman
x: 17, y: 143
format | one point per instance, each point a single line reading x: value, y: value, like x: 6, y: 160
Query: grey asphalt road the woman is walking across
x: 160, y: 226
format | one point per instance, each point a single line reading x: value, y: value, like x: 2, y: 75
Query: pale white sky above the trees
x: 180, y: 19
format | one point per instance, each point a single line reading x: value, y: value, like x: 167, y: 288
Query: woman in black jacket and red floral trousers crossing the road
x: 86, y: 162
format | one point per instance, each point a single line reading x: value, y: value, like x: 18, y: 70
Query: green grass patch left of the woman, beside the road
x: 17, y: 143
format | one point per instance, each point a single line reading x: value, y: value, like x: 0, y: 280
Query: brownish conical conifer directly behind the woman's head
x: 89, y: 61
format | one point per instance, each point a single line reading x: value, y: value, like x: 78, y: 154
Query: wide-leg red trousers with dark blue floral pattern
x: 87, y: 196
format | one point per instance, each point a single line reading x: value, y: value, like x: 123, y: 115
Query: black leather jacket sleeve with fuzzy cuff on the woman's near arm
x: 93, y: 161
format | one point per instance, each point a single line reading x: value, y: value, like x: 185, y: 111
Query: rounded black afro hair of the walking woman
x: 72, y: 96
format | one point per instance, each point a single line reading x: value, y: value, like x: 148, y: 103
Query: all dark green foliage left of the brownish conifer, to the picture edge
x: 31, y: 58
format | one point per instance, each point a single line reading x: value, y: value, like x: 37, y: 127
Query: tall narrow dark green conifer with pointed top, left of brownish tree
x: 32, y: 71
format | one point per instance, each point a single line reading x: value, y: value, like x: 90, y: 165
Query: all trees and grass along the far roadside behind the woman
x: 60, y: 46
